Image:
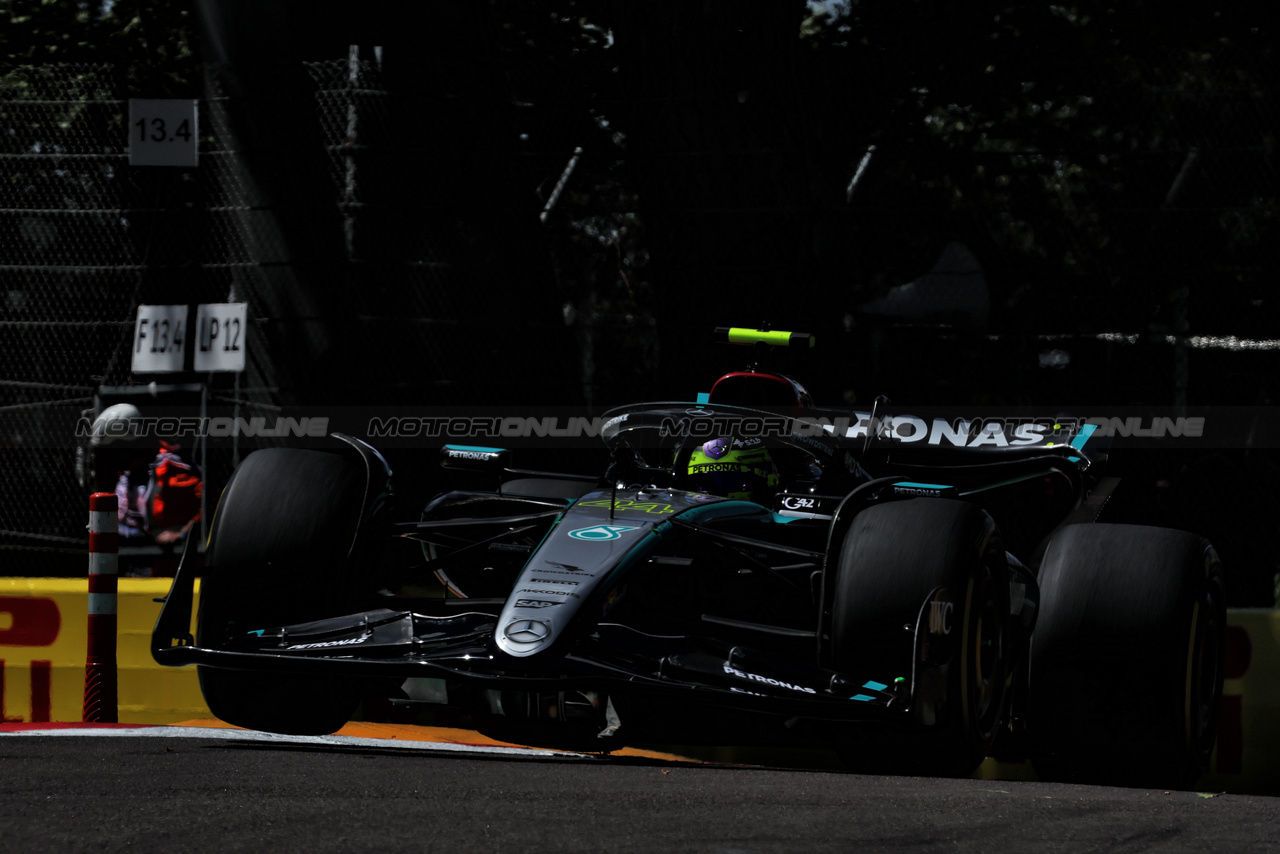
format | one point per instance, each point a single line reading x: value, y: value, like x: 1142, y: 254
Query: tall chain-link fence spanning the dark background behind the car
x: 476, y: 225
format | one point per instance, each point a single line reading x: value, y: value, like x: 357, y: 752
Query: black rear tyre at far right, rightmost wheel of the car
x: 1127, y: 661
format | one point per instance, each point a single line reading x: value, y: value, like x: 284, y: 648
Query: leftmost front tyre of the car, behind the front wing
x: 278, y: 555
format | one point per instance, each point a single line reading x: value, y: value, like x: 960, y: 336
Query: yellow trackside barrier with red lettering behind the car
x: 43, y: 647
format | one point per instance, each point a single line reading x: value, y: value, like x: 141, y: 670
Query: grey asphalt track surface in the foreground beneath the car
x: 172, y: 789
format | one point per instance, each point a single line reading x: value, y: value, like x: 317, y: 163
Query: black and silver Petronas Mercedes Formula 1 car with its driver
x: 749, y: 569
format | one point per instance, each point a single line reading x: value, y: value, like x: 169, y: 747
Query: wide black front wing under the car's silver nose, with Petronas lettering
x: 459, y: 650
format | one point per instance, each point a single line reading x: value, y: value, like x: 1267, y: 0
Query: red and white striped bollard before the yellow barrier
x: 104, y: 547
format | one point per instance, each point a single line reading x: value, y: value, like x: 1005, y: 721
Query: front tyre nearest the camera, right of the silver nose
x: 895, y: 559
